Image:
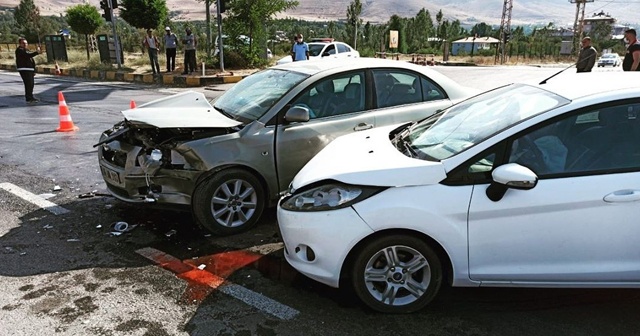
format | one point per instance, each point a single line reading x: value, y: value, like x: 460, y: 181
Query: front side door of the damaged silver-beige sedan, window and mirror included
x: 337, y: 106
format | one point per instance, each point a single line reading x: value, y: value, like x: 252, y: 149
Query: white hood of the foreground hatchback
x: 368, y: 158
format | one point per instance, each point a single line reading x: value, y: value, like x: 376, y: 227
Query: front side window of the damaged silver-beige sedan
x: 333, y: 96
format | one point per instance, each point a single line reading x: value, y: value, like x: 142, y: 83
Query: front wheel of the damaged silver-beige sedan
x: 229, y: 202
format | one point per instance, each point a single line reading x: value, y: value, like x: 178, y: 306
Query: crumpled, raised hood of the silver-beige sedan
x: 184, y: 110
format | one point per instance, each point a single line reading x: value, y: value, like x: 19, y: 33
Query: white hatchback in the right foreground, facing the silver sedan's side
x: 521, y: 186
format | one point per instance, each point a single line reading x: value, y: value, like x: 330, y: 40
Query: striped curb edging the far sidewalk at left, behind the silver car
x: 162, y: 79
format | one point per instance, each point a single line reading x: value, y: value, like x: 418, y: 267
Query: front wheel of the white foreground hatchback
x: 397, y: 286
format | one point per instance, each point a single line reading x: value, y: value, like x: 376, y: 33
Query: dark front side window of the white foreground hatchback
x: 597, y: 140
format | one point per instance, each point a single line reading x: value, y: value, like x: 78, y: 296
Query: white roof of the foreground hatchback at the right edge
x: 577, y: 85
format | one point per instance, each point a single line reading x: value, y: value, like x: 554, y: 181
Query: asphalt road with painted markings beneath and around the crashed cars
x: 66, y: 274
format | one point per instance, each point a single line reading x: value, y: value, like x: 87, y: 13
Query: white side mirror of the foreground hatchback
x: 510, y: 175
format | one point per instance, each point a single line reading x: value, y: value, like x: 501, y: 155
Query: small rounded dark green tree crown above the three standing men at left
x: 147, y: 14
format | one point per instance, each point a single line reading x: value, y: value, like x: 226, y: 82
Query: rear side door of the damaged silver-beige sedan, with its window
x: 403, y: 95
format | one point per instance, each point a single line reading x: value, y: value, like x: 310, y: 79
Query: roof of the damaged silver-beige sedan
x: 313, y: 67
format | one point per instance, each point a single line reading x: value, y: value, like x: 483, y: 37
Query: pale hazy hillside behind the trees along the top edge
x: 561, y: 12
